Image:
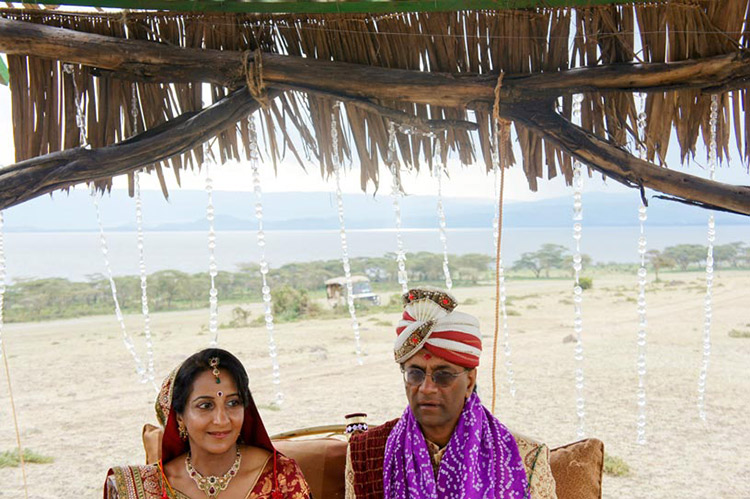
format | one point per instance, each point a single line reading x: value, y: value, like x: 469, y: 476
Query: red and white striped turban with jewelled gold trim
x: 429, y: 322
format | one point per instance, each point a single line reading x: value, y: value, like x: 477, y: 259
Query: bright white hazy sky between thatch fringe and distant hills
x: 464, y: 182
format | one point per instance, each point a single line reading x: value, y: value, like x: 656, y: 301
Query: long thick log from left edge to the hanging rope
x: 150, y: 61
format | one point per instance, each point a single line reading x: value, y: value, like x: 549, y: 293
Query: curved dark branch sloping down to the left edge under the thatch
x: 36, y: 176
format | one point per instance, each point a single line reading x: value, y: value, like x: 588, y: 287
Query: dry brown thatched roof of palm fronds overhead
x: 461, y: 44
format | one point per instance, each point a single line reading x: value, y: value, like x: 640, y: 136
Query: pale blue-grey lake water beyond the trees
x: 75, y: 255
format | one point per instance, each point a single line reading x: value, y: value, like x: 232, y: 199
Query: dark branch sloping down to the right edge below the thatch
x: 626, y: 168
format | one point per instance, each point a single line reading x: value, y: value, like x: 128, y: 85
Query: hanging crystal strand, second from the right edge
x: 642, y: 323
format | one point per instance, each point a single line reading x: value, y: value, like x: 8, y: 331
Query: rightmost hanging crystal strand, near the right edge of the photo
x: 707, y: 301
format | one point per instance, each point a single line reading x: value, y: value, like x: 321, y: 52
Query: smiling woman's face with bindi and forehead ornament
x: 213, y: 414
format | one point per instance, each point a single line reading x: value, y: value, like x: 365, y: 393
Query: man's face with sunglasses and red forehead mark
x: 437, y: 405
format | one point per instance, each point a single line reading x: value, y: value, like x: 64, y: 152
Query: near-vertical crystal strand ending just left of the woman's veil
x: 141, y: 253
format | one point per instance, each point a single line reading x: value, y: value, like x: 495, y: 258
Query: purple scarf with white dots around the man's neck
x: 481, y: 461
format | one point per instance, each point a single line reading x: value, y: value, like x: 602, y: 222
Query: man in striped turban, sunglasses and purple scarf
x: 445, y: 444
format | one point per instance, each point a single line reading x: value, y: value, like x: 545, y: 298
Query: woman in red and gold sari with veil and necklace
x: 214, y: 441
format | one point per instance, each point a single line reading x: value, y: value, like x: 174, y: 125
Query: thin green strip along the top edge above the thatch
x: 334, y: 6
